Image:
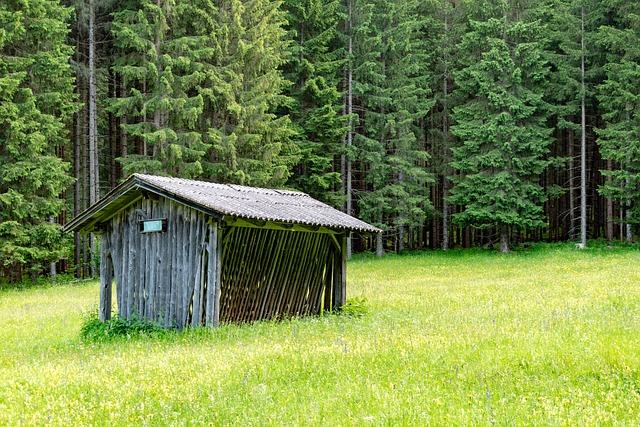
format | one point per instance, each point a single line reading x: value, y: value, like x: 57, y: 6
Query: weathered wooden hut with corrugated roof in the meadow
x: 185, y: 252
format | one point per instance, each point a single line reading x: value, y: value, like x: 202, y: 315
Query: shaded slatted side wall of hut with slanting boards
x: 269, y: 274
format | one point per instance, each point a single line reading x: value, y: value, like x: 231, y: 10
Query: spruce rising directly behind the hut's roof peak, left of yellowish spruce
x: 162, y: 56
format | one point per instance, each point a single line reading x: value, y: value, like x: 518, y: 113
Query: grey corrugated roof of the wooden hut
x: 244, y: 202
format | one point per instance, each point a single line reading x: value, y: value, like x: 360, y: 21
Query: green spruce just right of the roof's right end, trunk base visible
x: 393, y: 81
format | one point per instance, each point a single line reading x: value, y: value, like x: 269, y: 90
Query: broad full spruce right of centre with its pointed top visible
x: 502, y: 126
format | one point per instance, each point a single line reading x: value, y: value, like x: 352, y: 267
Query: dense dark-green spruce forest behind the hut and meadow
x: 446, y: 123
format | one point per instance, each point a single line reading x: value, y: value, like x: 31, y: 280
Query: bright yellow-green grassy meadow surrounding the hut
x: 546, y: 336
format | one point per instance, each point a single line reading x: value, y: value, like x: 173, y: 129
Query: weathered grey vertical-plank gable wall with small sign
x: 159, y: 275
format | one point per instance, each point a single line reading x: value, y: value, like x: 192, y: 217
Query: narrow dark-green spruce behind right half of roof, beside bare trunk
x: 314, y: 72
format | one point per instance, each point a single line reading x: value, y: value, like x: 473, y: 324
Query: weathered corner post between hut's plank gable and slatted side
x: 214, y: 270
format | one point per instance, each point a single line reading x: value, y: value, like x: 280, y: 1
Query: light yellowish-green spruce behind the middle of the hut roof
x: 243, y: 90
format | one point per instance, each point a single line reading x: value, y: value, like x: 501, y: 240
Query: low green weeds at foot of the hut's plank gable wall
x: 97, y: 331
